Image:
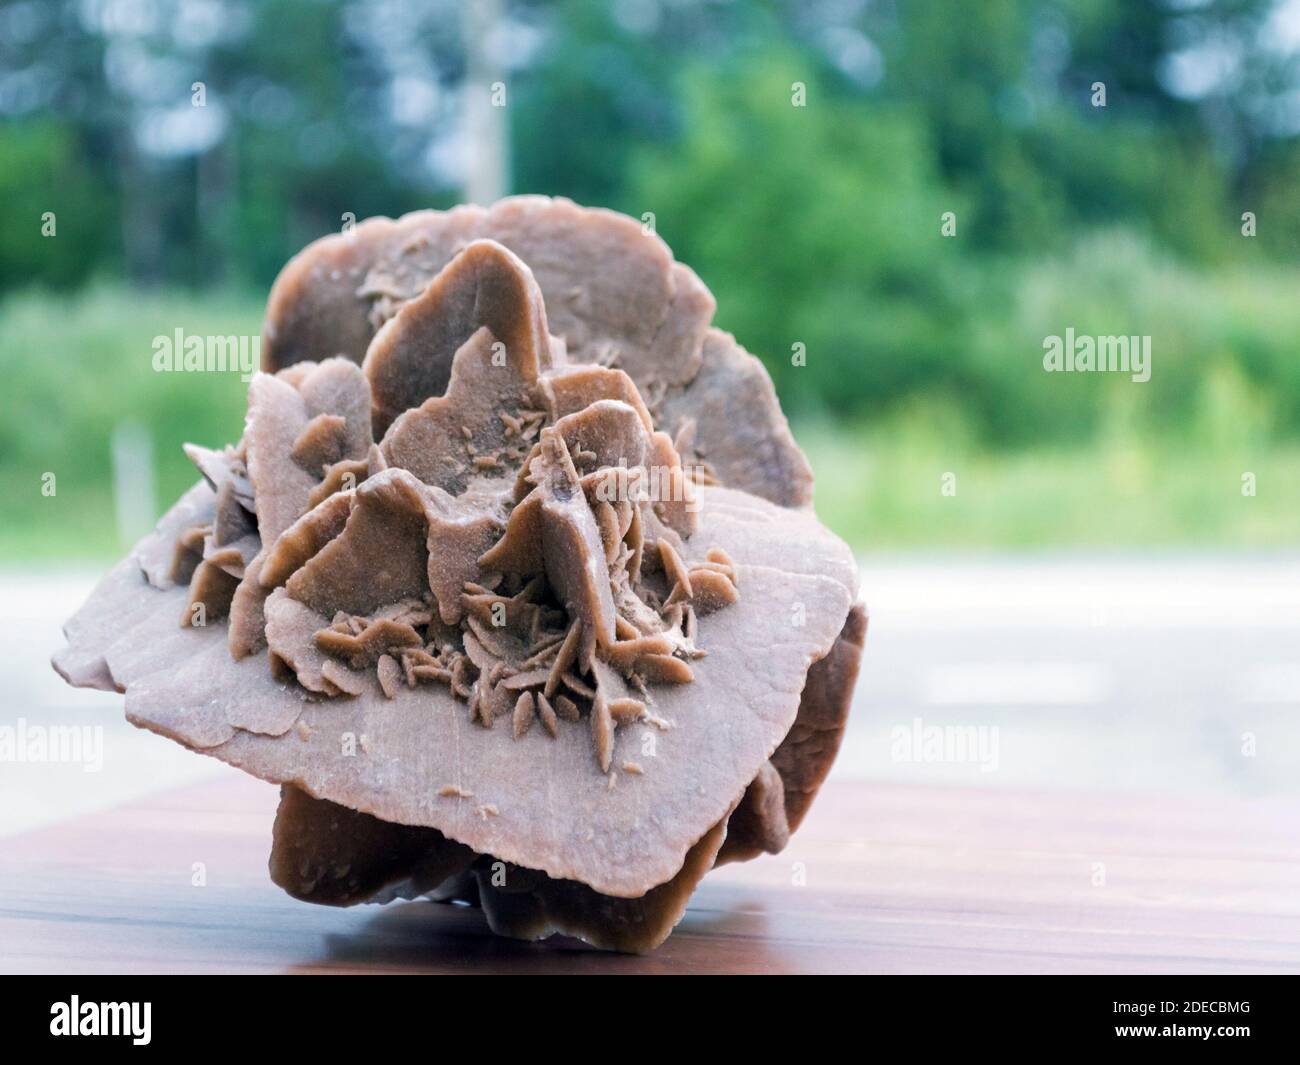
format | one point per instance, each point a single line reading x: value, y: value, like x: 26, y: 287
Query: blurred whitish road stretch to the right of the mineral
x: 1152, y: 674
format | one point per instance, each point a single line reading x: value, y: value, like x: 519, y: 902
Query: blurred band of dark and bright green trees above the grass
x: 205, y: 142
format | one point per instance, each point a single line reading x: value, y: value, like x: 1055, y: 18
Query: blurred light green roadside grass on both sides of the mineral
x: 77, y: 366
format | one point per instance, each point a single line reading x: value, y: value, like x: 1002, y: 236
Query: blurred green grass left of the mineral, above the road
x: 77, y: 366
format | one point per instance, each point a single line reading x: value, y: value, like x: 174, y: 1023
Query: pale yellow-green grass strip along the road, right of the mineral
x: 883, y: 492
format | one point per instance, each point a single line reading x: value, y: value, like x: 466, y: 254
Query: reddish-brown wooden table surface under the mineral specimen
x: 881, y: 880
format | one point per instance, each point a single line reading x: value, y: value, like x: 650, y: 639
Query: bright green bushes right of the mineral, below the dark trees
x: 842, y: 230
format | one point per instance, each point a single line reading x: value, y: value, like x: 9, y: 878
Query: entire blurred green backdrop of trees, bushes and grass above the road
x: 817, y: 226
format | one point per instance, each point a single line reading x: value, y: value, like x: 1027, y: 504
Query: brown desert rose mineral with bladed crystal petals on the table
x: 513, y: 582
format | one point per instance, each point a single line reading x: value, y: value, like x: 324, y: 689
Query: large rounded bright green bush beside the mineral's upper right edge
x: 812, y: 227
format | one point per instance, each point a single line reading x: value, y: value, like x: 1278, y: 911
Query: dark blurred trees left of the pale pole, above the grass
x: 227, y: 135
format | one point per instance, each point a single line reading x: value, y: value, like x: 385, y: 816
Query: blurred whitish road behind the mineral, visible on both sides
x: 1093, y: 676
